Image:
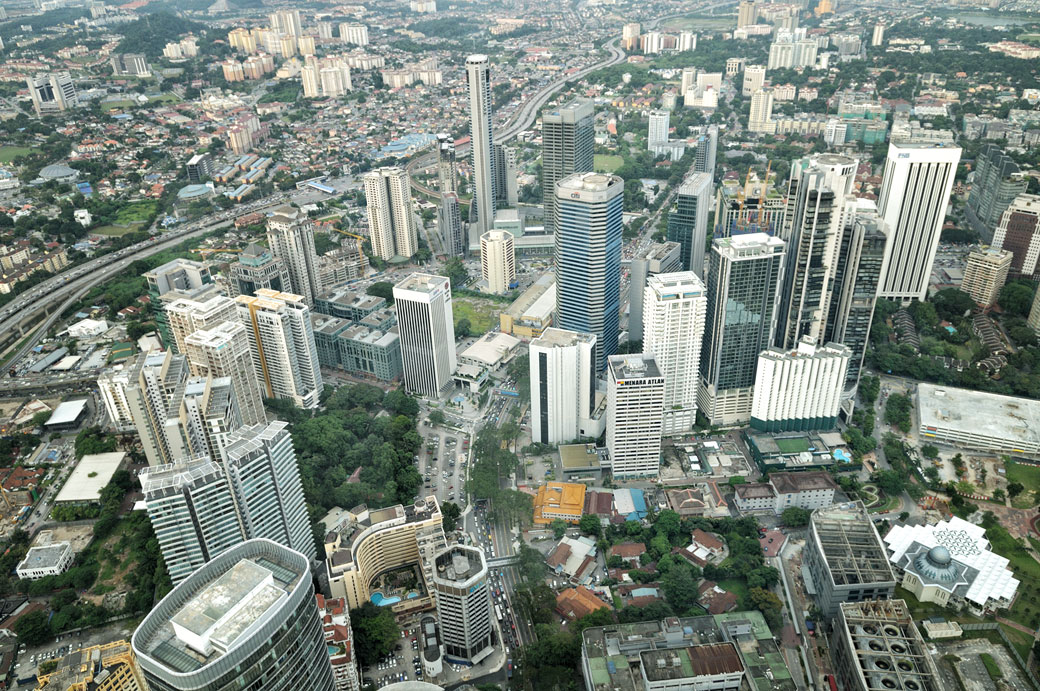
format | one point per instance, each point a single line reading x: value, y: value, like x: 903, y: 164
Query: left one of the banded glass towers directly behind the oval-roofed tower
x: 193, y: 514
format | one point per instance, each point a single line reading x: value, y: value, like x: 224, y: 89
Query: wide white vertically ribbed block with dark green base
x: 799, y: 390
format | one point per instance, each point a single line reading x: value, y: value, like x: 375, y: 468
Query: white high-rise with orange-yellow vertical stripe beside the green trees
x: 282, y: 344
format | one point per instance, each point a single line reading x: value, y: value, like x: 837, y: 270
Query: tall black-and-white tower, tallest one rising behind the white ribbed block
x: 817, y: 196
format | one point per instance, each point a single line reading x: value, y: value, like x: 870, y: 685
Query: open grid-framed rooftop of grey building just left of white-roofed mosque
x: 851, y: 546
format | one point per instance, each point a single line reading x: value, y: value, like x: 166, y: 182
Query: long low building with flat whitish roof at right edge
x: 978, y: 414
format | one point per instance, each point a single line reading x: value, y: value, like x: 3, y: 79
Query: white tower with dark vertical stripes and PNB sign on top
x: 915, y: 195
